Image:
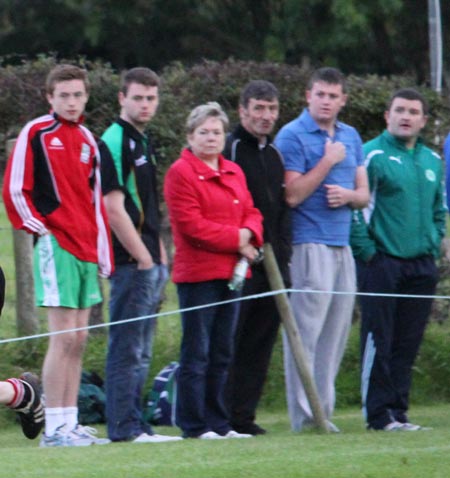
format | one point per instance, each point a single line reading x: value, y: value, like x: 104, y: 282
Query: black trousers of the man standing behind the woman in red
x: 254, y: 340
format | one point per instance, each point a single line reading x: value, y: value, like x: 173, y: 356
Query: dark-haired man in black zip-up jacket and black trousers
x: 250, y: 146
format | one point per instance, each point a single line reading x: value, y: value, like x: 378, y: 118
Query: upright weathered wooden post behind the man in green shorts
x: 27, y: 322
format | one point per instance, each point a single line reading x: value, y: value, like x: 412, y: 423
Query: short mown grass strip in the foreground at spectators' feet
x: 353, y: 453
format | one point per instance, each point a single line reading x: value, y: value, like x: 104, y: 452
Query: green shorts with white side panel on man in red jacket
x: 62, y: 280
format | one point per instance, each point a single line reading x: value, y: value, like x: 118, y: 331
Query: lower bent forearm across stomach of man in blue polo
x: 356, y: 198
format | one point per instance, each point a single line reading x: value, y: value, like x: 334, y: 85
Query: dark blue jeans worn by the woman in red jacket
x: 206, y: 352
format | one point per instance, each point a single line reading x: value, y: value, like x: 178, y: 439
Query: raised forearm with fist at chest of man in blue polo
x: 300, y: 186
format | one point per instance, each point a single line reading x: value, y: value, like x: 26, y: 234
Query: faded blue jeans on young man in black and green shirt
x: 134, y: 293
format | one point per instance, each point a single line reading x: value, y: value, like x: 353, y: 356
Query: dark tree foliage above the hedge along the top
x: 358, y: 36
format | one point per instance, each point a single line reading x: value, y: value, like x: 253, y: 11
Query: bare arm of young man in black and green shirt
x: 124, y: 229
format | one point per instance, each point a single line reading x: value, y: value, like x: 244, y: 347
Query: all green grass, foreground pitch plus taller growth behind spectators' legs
x: 352, y: 453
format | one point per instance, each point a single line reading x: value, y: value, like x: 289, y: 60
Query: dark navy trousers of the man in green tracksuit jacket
x: 391, y: 332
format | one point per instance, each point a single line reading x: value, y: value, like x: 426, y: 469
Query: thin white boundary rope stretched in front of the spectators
x: 213, y: 304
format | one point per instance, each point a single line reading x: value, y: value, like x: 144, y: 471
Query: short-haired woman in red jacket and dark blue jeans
x: 214, y: 223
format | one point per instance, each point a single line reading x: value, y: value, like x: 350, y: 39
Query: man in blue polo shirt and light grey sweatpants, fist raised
x: 325, y: 179
